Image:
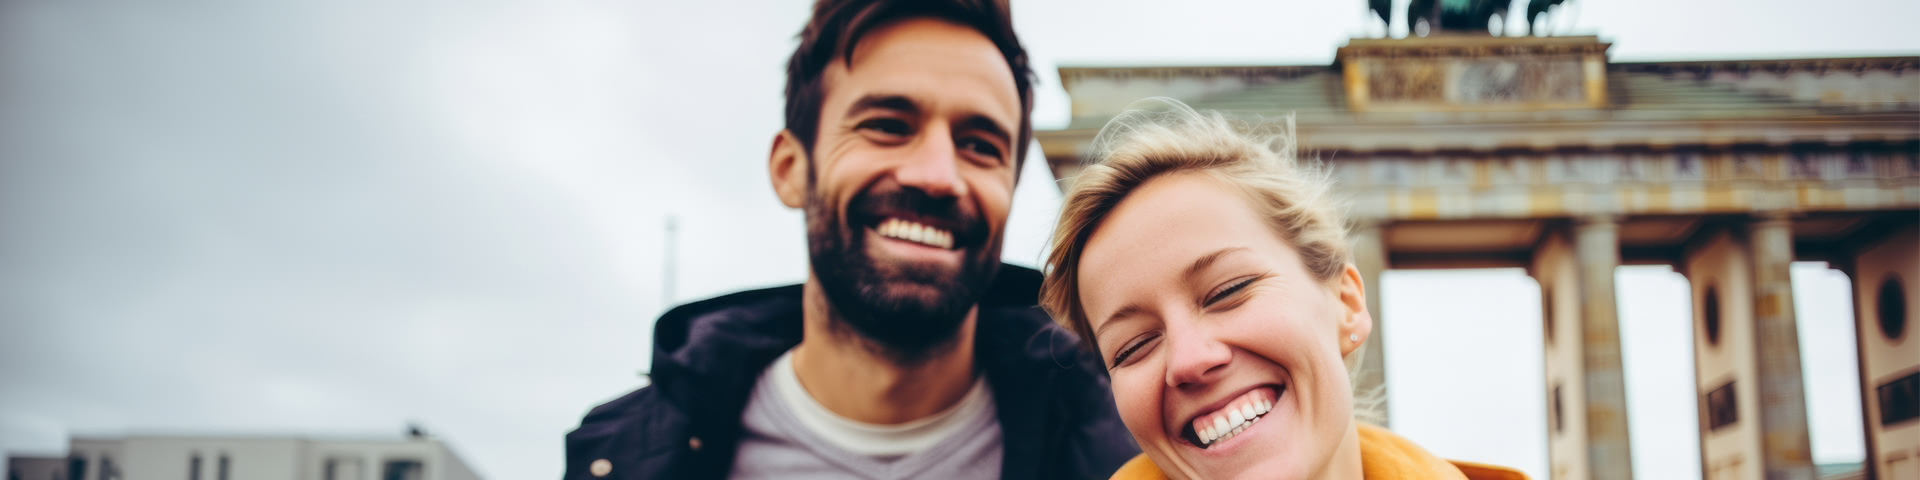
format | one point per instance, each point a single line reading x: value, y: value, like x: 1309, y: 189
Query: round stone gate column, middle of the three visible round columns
x: 1598, y: 251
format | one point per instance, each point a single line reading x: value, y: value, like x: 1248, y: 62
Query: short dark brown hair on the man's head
x: 838, y: 26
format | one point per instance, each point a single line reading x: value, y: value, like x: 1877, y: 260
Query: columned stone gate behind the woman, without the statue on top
x: 1541, y: 153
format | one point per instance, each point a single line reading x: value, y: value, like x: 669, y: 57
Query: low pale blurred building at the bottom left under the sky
x: 247, y: 458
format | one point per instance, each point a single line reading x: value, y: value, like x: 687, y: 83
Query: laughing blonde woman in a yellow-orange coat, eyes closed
x: 1212, y: 274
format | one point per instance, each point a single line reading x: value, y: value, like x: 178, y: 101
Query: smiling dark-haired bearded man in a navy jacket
x: 909, y: 352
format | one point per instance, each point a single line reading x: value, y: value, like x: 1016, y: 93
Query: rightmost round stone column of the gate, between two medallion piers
x: 1787, y: 454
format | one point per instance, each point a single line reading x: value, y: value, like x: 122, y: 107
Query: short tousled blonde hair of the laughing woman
x: 1161, y: 137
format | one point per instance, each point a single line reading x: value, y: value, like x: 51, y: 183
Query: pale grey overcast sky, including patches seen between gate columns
x: 337, y: 218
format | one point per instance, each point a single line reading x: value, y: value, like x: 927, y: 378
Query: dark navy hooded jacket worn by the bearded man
x: 1057, y: 412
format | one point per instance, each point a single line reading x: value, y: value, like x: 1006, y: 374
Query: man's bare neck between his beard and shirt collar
x: 859, y: 381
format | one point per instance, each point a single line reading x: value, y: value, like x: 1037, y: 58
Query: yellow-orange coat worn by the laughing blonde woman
x: 1383, y: 456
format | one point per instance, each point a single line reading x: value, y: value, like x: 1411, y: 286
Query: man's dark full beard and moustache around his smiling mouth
x: 901, y: 308
